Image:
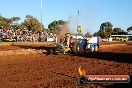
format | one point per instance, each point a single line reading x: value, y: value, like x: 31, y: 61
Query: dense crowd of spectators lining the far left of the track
x: 24, y: 35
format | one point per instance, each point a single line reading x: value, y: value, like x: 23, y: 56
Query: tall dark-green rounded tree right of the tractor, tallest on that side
x: 105, y: 30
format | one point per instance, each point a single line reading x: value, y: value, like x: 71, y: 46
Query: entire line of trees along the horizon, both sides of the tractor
x: 31, y: 23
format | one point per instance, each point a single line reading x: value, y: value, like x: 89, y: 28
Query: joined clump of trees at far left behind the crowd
x: 30, y: 23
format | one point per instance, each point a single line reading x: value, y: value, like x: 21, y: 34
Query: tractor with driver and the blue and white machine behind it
x: 79, y: 45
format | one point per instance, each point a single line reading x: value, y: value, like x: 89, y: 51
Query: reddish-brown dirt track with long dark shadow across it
x: 30, y: 68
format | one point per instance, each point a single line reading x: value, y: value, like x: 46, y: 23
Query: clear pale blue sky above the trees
x: 92, y: 12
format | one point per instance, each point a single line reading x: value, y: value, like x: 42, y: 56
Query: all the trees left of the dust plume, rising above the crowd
x: 30, y: 23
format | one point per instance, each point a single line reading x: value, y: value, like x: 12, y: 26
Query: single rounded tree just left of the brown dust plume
x: 55, y: 26
